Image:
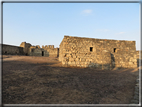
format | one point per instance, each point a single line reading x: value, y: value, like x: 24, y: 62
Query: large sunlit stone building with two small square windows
x: 99, y: 53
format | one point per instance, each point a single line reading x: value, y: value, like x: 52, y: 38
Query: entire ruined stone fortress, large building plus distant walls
x: 84, y: 52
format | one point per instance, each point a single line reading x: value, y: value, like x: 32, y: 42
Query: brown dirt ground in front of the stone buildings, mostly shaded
x: 43, y: 80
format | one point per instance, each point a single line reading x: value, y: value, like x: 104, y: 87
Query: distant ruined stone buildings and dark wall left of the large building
x: 28, y: 49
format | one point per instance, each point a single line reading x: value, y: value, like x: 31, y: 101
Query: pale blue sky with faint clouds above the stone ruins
x: 47, y: 23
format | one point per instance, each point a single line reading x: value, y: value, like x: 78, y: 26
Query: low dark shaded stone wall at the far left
x: 12, y: 50
